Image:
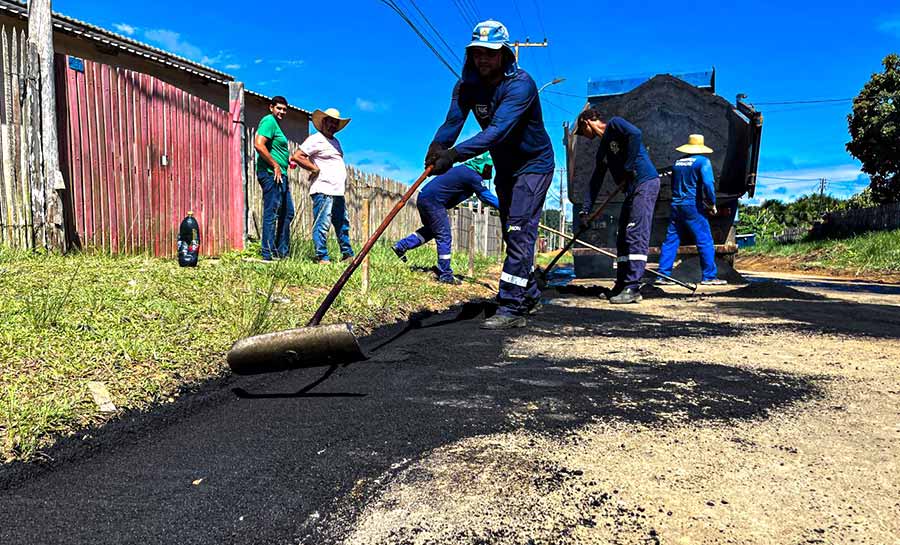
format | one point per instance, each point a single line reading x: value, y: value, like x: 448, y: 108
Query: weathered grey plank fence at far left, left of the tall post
x: 15, y: 194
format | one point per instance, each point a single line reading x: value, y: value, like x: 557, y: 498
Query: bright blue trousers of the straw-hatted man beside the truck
x: 686, y: 221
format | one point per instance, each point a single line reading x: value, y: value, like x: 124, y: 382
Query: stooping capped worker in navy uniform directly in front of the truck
x: 623, y: 154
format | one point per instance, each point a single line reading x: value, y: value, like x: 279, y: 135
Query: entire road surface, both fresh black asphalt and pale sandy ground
x: 756, y: 415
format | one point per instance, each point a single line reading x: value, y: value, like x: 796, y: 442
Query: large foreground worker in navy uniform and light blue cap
x: 505, y: 102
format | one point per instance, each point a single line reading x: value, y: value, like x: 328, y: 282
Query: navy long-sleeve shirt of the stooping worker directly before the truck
x: 621, y: 151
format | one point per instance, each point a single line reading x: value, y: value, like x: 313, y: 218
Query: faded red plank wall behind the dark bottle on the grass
x: 138, y: 154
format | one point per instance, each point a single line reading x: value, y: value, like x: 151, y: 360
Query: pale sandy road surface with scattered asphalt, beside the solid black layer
x: 758, y: 415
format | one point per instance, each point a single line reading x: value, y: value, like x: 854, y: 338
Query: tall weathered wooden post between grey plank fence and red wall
x: 40, y: 36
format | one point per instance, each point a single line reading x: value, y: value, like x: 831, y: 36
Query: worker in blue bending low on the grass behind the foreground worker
x: 441, y: 194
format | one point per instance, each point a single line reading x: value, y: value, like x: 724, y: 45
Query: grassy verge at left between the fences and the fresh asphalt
x: 146, y: 328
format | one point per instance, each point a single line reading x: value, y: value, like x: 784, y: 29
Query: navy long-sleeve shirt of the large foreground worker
x: 511, y: 120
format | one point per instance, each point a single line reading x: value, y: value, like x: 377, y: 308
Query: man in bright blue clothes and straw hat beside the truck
x: 693, y: 196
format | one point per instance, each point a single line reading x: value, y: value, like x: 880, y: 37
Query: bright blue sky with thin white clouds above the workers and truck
x: 361, y: 58
